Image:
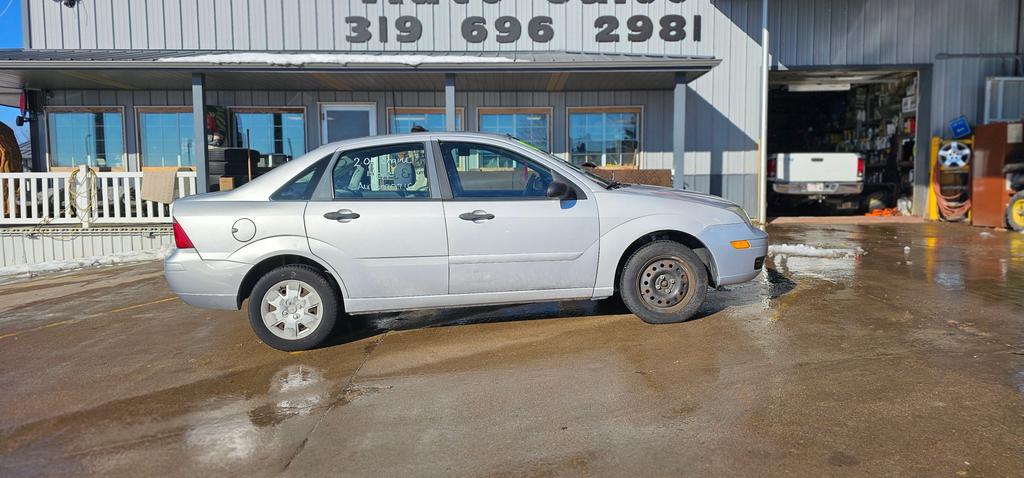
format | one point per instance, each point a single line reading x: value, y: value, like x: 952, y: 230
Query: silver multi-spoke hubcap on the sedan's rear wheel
x: 292, y: 310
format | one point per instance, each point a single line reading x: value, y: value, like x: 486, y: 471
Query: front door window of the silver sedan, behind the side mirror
x: 470, y: 179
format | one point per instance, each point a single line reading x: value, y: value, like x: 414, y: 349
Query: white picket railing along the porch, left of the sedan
x: 113, y: 198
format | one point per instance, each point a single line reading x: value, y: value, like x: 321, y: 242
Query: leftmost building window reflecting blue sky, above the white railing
x: 94, y: 138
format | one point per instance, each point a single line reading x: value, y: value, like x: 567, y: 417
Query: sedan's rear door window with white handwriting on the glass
x: 397, y: 171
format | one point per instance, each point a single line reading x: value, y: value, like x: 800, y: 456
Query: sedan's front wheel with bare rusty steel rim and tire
x: 652, y: 283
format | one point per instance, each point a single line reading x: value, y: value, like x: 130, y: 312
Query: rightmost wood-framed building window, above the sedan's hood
x: 606, y: 138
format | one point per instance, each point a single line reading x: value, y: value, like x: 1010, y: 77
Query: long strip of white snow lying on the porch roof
x: 300, y: 60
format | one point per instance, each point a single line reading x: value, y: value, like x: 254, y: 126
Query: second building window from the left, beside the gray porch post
x: 166, y: 139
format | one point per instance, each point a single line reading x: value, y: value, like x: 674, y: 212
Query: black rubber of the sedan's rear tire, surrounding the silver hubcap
x: 308, y: 276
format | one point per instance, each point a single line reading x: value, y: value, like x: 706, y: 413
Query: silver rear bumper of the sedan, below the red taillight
x: 211, y: 285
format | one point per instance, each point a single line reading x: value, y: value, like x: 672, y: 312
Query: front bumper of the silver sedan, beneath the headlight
x: 736, y: 266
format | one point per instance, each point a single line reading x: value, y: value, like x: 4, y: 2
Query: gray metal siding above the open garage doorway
x: 887, y: 32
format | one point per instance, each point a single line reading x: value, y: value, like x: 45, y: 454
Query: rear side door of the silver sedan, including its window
x: 378, y: 221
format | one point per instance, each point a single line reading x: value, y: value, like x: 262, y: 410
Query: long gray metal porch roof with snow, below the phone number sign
x: 361, y: 61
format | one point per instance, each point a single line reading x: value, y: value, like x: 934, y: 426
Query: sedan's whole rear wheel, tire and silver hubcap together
x: 293, y: 308
